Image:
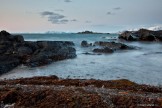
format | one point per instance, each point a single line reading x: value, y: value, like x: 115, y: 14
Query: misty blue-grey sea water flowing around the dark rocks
x: 143, y: 65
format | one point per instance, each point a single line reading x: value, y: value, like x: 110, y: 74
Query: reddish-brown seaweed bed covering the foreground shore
x: 53, y: 92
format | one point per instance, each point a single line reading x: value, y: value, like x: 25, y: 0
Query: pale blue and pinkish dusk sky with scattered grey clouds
x: 79, y: 15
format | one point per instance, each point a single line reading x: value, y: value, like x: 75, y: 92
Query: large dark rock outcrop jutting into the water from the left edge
x: 15, y: 51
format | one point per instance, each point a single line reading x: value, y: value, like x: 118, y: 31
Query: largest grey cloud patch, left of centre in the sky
x: 56, y: 18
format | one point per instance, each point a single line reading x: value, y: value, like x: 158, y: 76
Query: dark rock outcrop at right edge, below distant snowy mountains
x: 141, y: 35
